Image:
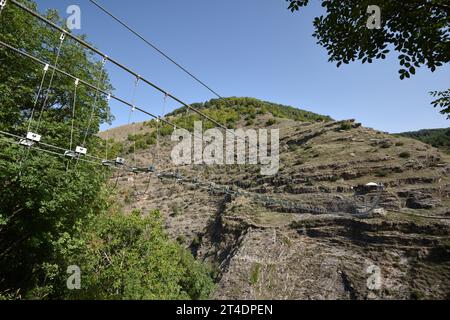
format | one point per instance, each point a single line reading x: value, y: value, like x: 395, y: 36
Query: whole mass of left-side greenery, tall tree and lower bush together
x: 55, y: 212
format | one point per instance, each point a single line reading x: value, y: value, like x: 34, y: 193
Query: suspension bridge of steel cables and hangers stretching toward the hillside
x: 78, y: 152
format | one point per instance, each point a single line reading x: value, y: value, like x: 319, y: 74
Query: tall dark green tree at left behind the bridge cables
x: 43, y: 199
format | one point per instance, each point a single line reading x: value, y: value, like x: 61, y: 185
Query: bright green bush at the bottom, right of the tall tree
x: 130, y: 257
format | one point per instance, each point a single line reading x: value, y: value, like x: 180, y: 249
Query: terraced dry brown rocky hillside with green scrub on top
x: 267, y: 249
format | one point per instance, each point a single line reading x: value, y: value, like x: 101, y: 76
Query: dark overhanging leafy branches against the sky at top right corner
x: 419, y: 30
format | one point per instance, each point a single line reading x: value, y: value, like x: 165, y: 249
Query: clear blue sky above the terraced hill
x: 253, y: 48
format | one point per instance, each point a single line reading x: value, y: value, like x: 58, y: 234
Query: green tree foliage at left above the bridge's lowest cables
x: 20, y: 79
